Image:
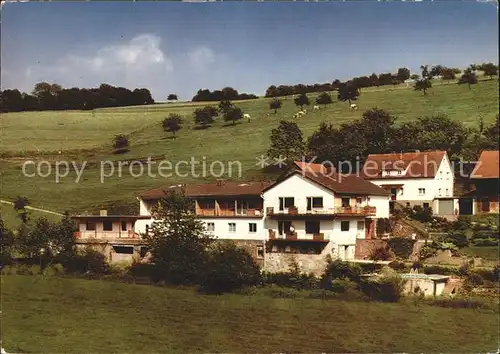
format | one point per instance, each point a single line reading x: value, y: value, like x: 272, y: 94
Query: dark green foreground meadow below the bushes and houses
x: 74, y: 315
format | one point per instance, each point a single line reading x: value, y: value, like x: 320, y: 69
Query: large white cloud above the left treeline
x: 131, y: 64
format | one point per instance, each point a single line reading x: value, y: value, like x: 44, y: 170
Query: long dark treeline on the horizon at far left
x: 47, y: 96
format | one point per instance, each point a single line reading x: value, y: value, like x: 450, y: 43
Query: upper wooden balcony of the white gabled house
x: 293, y: 212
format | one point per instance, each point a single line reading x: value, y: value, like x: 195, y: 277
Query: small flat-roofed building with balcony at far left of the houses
x: 113, y: 235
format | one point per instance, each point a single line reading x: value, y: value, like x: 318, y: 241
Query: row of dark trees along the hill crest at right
x: 383, y: 79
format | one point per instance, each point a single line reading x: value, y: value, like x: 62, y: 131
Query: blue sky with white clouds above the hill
x: 178, y: 47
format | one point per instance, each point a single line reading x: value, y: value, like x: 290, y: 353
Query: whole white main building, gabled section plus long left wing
x: 304, y: 215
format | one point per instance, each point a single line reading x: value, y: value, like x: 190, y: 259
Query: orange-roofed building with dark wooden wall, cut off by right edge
x: 486, y: 180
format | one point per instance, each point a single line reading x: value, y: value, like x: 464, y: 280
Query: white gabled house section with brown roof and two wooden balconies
x: 310, y: 213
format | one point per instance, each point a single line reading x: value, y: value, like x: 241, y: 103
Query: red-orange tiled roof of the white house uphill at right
x: 416, y: 164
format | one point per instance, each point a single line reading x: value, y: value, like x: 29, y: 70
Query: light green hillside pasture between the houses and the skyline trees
x: 86, y: 136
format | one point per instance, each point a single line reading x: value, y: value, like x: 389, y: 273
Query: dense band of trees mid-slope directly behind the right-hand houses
x: 376, y: 133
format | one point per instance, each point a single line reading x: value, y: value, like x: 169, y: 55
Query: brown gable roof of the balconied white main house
x: 338, y: 183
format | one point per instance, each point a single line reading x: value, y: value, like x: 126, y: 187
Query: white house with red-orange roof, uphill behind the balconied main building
x: 417, y: 178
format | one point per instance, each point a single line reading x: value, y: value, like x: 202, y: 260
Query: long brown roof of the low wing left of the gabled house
x: 223, y: 188
